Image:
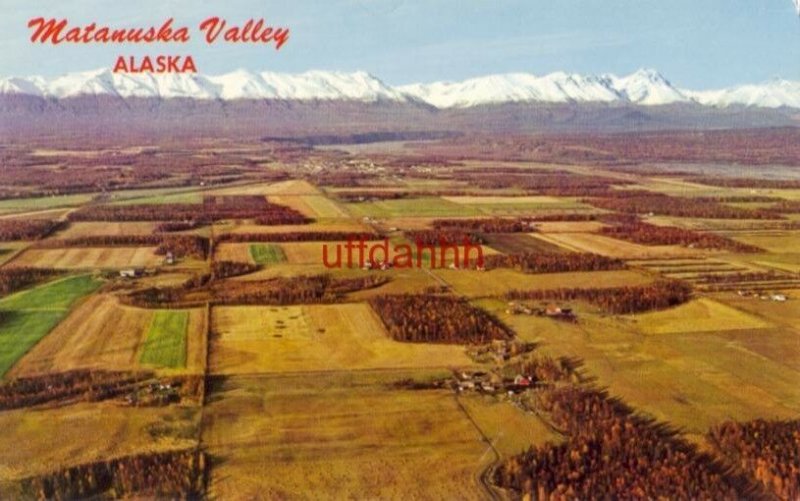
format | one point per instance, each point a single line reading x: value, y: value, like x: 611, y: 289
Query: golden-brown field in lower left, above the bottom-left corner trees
x: 36, y: 441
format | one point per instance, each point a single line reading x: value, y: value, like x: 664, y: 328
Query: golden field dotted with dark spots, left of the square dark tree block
x: 269, y: 339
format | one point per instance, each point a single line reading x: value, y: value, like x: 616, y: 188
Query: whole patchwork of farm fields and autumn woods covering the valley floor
x: 286, y: 375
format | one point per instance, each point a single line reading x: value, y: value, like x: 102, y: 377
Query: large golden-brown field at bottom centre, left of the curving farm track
x: 346, y: 436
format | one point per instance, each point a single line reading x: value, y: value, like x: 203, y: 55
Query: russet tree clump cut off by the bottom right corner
x: 767, y: 450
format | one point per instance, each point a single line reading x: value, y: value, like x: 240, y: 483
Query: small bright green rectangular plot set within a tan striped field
x: 165, y: 344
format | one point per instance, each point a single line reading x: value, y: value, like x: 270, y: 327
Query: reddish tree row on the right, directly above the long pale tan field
x: 650, y: 234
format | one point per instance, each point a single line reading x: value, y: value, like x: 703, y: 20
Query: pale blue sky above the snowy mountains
x: 695, y: 43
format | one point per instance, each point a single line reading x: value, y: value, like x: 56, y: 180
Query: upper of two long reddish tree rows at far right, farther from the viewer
x: 665, y: 205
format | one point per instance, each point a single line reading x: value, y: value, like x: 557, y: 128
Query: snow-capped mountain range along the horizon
x: 644, y: 87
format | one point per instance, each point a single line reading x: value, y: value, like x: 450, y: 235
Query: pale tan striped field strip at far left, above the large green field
x: 89, y: 258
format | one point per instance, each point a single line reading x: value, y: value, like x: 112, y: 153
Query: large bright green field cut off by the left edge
x: 29, y: 315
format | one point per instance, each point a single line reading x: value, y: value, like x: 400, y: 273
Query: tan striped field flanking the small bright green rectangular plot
x: 103, y: 334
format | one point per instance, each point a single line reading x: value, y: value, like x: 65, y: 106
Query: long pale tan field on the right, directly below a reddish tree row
x: 612, y: 247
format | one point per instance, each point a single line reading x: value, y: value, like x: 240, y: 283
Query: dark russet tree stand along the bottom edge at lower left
x: 166, y: 475
